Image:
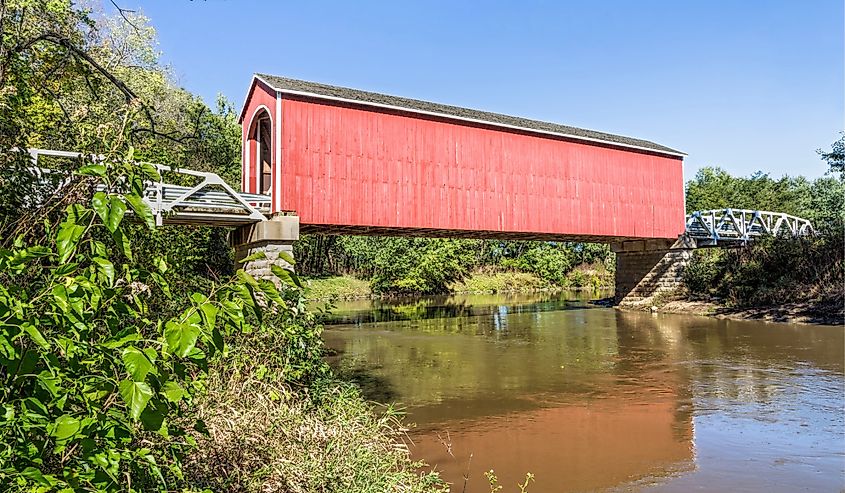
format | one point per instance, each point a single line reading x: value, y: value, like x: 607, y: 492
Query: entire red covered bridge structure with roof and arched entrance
x: 357, y: 162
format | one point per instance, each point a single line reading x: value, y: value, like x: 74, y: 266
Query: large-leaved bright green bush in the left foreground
x: 90, y: 374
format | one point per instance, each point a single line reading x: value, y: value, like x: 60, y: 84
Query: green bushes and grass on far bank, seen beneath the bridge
x: 421, y: 266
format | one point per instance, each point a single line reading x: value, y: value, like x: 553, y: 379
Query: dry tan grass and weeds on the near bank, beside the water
x: 268, y: 439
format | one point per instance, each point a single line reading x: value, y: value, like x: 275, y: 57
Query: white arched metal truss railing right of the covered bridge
x: 720, y: 226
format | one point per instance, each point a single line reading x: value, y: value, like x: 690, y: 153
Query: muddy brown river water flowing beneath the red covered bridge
x: 595, y: 399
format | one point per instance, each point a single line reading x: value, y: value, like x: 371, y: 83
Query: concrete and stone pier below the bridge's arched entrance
x: 271, y: 237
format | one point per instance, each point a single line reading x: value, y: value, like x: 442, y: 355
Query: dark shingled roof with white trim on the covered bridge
x: 317, y: 90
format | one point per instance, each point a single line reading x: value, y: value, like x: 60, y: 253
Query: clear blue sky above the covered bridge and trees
x: 745, y: 85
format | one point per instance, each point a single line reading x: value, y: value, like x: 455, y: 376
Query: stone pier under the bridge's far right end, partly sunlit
x: 646, y: 268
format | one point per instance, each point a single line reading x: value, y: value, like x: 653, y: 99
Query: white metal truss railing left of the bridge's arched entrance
x: 209, y: 201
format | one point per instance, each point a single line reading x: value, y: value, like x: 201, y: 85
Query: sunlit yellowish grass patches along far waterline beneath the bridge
x: 482, y: 281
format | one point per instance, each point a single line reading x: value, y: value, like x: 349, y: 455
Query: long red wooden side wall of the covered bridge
x: 361, y: 167
